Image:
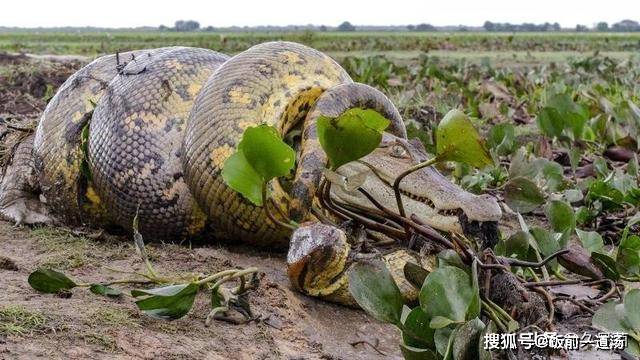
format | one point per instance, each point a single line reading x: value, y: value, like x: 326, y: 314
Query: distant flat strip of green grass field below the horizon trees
x: 91, y: 43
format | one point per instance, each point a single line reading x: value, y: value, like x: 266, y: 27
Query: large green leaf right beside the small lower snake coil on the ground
x: 374, y: 289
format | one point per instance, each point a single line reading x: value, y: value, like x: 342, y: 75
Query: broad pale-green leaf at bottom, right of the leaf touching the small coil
x: 447, y: 292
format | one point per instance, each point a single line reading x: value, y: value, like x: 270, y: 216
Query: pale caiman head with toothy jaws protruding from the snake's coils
x: 434, y: 199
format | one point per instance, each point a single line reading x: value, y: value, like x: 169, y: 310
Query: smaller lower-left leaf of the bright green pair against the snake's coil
x: 241, y: 177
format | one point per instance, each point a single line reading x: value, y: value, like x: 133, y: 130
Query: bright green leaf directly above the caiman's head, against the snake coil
x: 350, y: 136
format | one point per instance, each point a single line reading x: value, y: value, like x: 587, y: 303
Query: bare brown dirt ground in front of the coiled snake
x: 85, y: 325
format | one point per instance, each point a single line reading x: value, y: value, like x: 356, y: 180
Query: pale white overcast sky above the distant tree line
x: 132, y: 13
